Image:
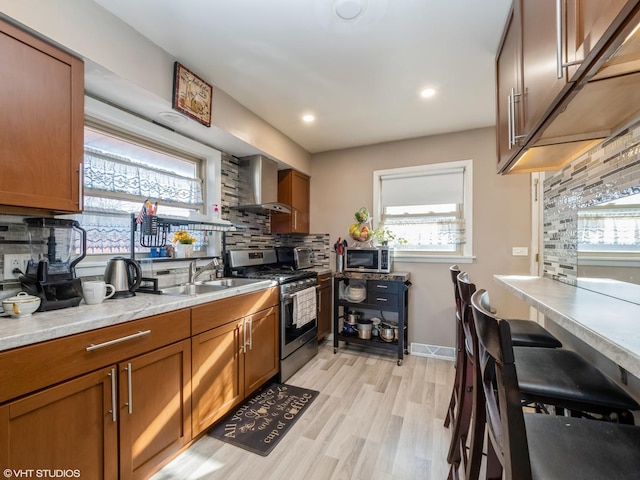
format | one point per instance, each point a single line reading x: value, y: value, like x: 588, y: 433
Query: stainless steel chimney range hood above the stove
x: 258, y: 179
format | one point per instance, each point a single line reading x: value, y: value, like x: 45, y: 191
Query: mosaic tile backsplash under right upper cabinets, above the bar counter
x: 608, y: 171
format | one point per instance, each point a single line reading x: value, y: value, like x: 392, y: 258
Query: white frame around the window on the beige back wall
x: 418, y: 256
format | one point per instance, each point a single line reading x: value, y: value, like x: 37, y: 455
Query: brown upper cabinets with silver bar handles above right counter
x: 553, y: 100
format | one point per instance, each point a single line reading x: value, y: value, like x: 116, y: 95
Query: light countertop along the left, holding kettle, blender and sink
x: 41, y: 326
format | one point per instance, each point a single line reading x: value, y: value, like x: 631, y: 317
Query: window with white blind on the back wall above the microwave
x: 428, y: 207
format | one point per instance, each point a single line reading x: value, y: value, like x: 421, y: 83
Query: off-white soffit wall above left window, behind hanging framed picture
x: 127, y: 69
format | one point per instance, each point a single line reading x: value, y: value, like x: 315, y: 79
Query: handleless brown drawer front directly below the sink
x: 220, y: 312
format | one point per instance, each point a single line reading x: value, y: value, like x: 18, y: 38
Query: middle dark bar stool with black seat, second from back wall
x: 547, y: 376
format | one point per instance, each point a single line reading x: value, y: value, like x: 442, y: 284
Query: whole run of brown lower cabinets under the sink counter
x: 121, y: 401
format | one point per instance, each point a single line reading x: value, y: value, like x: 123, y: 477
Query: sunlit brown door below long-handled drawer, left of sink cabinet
x: 155, y: 407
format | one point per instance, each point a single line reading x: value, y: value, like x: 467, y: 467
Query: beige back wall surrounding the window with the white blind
x: 342, y: 182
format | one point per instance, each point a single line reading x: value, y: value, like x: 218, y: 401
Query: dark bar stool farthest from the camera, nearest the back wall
x: 462, y: 402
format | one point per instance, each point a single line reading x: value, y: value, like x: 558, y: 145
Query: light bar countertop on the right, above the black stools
x: 607, y: 324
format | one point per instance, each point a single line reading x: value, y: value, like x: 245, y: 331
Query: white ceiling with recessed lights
x: 360, y: 78
